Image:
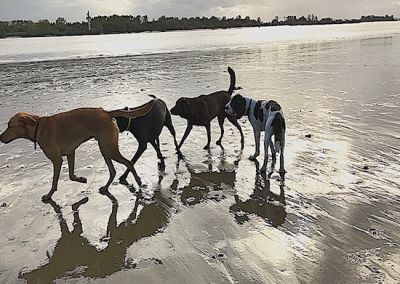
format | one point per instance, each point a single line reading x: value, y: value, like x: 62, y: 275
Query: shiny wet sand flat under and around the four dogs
x: 211, y: 218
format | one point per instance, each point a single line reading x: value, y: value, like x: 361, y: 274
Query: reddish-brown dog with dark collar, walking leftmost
x: 60, y: 134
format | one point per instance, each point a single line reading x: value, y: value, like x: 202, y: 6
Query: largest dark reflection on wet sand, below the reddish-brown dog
x: 74, y: 256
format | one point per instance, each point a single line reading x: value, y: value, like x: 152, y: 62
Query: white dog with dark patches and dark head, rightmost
x: 264, y: 116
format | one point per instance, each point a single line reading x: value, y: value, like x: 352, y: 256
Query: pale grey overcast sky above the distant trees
x: 75, y: 10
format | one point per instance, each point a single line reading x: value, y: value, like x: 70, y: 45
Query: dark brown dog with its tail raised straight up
x: 201, y: 110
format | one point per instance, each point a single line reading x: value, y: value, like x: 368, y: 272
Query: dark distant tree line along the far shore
x: 132, y: 24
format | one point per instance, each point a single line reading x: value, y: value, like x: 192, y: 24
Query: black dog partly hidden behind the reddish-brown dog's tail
x: 147, y: 129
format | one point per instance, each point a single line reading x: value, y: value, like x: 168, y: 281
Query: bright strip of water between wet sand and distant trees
x: 42, y: 55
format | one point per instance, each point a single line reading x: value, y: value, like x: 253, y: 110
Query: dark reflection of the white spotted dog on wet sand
x: 262, y: 202
